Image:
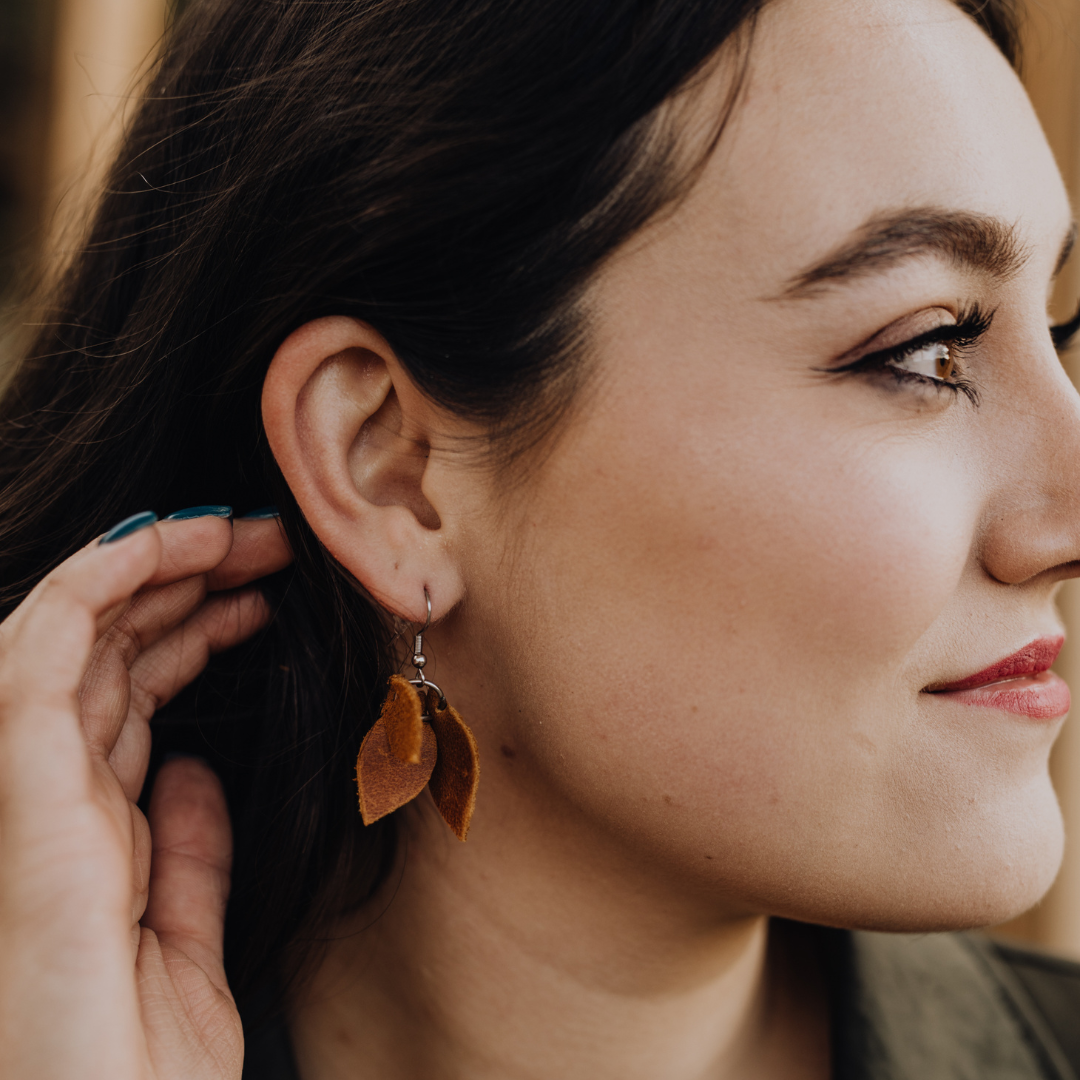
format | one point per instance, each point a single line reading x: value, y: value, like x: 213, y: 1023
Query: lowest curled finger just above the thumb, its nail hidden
x: 165, y: 670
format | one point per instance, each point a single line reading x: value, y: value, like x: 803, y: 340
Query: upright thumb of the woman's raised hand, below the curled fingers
x: 191, y: 863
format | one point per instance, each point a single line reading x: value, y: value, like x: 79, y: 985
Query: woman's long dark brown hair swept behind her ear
x: 451, y: 171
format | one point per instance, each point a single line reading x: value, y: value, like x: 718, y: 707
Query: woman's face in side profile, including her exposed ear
x: 825, y: 466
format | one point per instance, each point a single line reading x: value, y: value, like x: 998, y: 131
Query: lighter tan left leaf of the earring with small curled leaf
x: 397, y: 757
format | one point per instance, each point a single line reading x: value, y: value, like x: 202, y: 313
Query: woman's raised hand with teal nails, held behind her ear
x: 112, y: 926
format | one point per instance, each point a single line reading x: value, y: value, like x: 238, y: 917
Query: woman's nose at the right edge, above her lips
x: 1032, y: 524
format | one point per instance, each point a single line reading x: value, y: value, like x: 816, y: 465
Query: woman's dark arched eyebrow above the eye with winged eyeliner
x: 971, y: 241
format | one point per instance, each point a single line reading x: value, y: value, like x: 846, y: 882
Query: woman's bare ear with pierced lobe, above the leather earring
x: 352, y: 435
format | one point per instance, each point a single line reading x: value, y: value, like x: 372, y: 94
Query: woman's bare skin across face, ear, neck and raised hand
x: 694, y: 640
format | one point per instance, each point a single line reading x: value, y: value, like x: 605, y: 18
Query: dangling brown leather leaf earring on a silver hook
x: 418, y: 741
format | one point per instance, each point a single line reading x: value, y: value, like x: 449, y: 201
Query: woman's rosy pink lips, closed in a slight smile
x: 1021, y: 684
